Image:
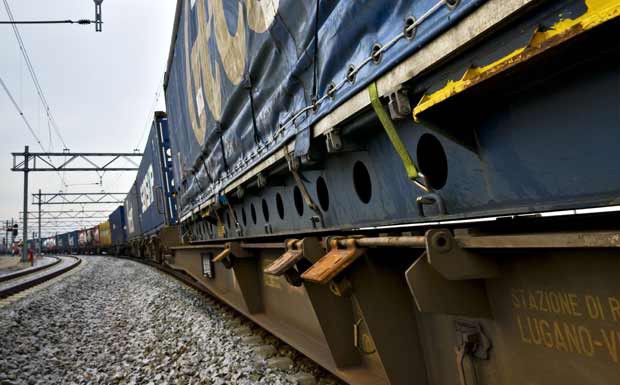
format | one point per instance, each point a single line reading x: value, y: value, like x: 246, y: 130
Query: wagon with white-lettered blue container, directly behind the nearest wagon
x: 150, y: 206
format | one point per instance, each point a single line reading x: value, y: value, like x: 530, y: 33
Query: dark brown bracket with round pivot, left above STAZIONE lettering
x: 455, y: 263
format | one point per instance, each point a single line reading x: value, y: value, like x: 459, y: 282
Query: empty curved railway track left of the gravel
x: 22, y: 280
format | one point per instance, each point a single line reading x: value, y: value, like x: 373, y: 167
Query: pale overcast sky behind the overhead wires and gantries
x: 100, y: 87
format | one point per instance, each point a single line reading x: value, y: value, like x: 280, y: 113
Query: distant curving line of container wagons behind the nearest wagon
x: 145, y: 225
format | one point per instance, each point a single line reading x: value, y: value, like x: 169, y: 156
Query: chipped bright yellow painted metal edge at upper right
x: 598, y: 12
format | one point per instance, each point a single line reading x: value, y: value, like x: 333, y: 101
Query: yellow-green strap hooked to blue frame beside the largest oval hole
x: 397, y: 143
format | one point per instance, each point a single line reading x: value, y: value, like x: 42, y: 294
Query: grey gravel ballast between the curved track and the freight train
x: 115, y: 321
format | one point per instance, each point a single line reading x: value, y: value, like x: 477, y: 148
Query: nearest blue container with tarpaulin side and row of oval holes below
x: 229, y: 132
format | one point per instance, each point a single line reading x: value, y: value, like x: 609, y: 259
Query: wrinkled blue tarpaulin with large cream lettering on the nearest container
x: 239, y: 71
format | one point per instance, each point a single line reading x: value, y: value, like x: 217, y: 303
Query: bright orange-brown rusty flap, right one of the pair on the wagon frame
x: 333, y: 263
